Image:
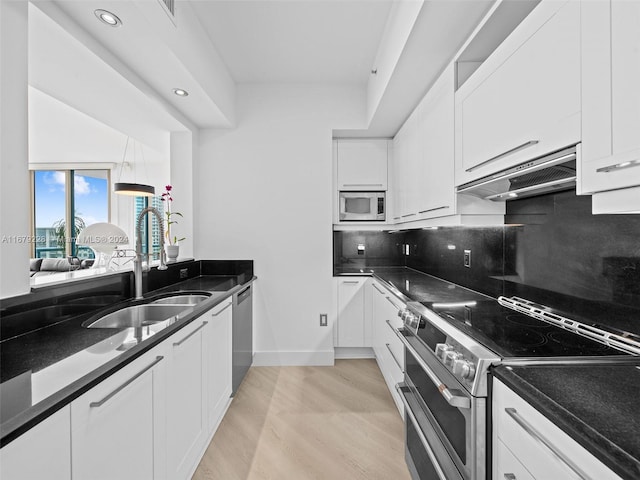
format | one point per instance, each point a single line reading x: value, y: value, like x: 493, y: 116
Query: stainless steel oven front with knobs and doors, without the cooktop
x: 445, y: 401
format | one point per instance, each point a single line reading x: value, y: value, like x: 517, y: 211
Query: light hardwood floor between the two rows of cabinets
x: 303, y: 423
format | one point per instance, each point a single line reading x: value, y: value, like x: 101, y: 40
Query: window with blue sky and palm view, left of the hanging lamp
x: 64, y: 202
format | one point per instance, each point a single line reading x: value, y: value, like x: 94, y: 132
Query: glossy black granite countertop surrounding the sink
x: 57, y: 359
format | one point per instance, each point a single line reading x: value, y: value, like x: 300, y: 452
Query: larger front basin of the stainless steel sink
x: 137, y: 316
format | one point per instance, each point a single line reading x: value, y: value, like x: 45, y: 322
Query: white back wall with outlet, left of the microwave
x: 263, y: 192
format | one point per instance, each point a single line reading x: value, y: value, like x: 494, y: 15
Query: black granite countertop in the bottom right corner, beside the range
x: 596, y: 405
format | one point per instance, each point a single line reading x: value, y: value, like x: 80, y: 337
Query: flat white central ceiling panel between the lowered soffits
x: 304, y: 41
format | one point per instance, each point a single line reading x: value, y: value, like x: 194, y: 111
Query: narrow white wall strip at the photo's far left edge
x: 14, y: 177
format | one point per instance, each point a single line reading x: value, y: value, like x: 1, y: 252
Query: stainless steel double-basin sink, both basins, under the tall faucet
x: 150, y: 312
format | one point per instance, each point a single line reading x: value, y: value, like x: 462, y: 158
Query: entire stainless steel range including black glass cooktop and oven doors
x: 449, y: 350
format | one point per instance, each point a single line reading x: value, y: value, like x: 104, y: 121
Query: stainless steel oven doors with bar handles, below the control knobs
x: 443, y: 412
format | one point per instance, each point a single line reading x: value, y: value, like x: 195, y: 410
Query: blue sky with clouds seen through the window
x: 90, y: 197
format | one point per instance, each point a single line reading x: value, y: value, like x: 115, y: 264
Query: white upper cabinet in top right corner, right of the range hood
x: 610, y: 95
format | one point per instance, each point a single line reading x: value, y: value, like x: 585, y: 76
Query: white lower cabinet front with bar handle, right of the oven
x: 527, y: 445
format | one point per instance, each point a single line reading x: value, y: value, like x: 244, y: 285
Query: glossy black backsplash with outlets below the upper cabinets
x: 552, y: 250
